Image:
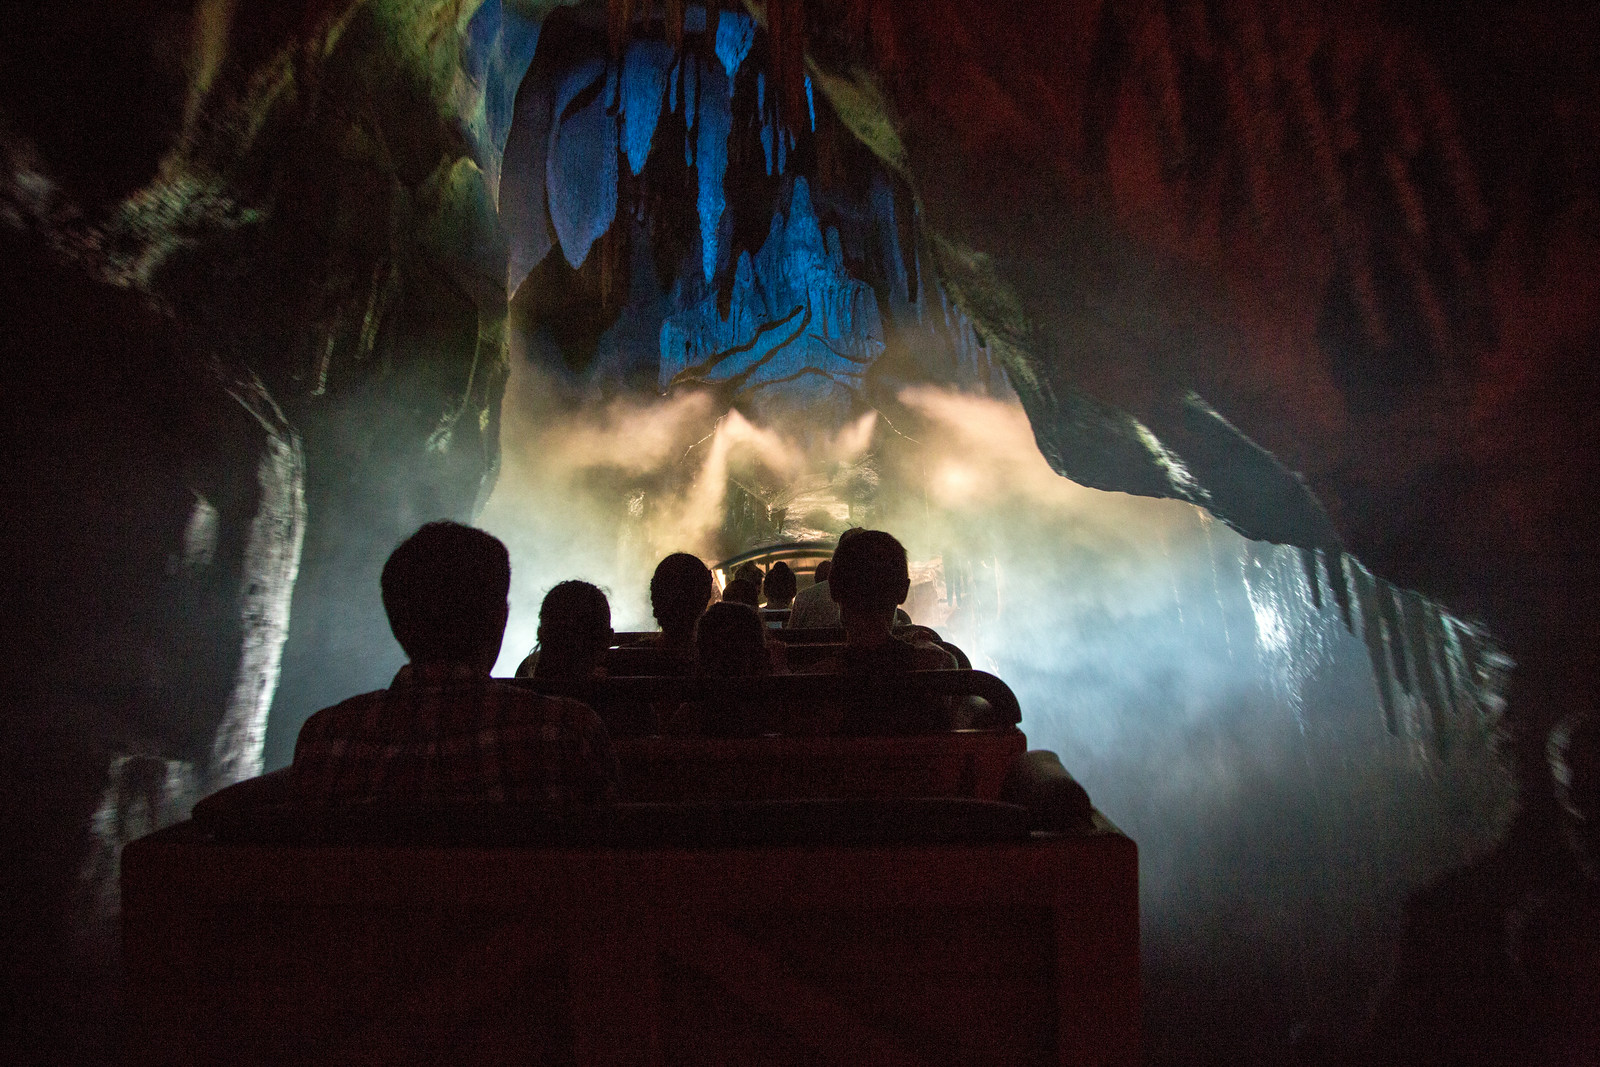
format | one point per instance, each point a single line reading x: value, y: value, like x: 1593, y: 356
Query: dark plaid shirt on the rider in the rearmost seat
x: 447, y: 732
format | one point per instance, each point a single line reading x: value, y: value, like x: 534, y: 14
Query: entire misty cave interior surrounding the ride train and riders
x: 1226, y: 370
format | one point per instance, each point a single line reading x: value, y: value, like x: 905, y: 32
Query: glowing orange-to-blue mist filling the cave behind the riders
x: 1185, y: 674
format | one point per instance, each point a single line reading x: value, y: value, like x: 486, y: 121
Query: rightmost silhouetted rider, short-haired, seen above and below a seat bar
x: 868, y: 581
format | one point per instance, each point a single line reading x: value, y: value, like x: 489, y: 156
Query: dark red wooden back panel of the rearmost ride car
x: 721, y: 941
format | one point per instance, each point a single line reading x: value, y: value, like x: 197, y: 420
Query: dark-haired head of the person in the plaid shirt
x: 446, y: 593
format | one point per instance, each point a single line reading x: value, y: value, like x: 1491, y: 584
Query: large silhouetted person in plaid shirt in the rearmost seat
x: 446, y: 730
